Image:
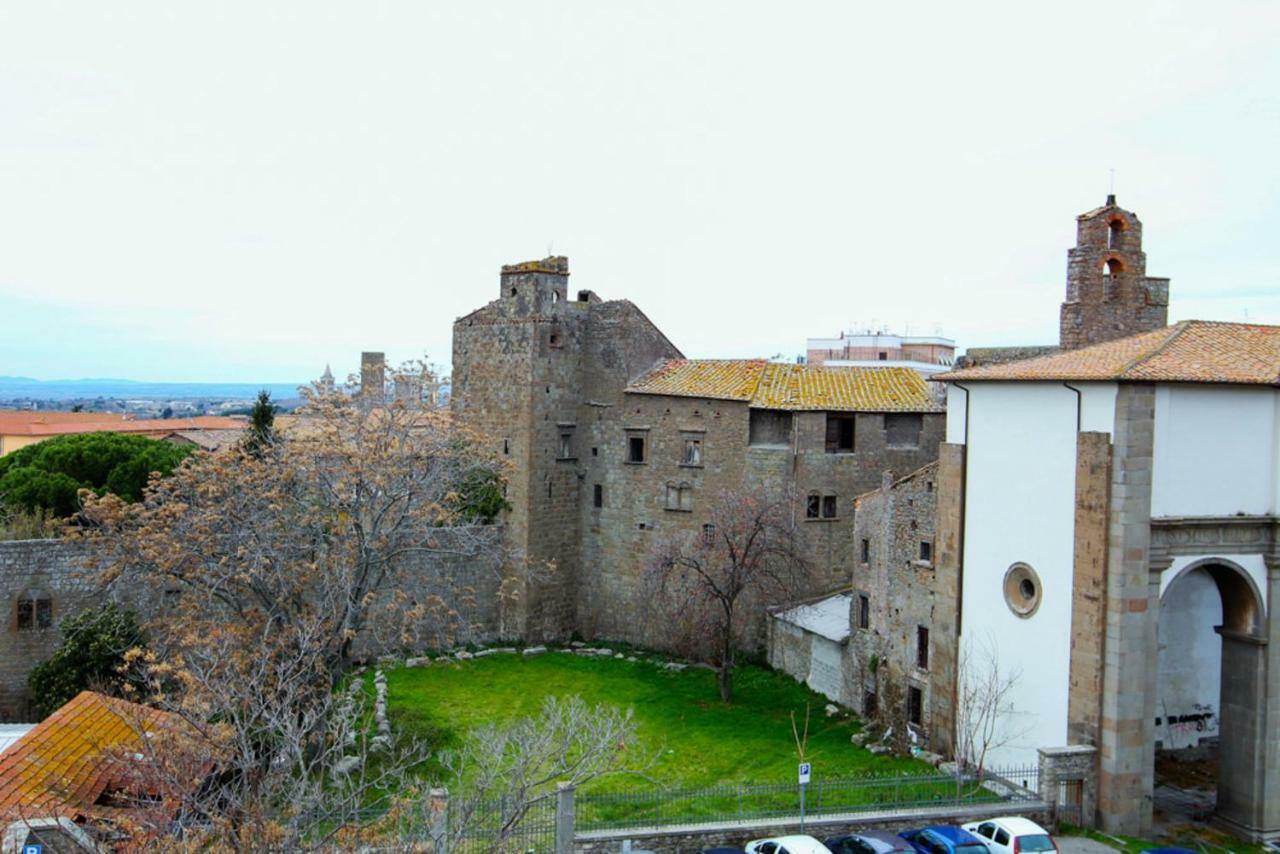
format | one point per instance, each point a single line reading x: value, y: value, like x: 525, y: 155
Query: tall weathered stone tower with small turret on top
x: 541, y: 373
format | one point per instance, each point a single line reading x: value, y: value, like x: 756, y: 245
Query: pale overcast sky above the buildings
x: 246, y: 191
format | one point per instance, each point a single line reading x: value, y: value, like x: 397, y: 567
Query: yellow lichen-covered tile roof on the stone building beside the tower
x: 780, y: 386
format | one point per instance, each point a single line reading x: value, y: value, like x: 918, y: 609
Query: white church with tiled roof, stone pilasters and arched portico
x: 1121, y: 554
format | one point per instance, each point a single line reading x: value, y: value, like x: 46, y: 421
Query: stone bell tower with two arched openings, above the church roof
x: 1109, y: 294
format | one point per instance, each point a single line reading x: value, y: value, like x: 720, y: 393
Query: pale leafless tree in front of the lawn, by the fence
x: 502, y: 773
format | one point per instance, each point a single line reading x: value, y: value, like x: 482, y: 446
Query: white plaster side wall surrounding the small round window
x: 1021, y: 506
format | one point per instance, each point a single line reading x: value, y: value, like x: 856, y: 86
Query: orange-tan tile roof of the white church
x: 1192, y: 351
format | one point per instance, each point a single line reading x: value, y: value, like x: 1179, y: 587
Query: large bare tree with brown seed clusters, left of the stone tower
x: 275, y: 565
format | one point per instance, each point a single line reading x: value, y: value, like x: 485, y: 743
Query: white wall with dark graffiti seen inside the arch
x: 1190, y: 664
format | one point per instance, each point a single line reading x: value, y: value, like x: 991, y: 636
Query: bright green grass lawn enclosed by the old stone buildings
x: 702, y: 741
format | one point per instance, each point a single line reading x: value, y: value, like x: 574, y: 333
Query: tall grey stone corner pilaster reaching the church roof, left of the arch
x: 1127, y: 759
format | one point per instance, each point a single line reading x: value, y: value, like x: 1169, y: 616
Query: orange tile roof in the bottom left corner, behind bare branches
x: 65, y: 765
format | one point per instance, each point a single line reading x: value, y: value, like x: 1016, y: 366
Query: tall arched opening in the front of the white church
x: 1210, y: 677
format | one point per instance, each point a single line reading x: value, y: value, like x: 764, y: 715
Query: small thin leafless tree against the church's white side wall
x: 986, y: 718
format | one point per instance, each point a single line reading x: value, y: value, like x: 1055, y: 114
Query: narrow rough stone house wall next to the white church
x: 899, y: 582
